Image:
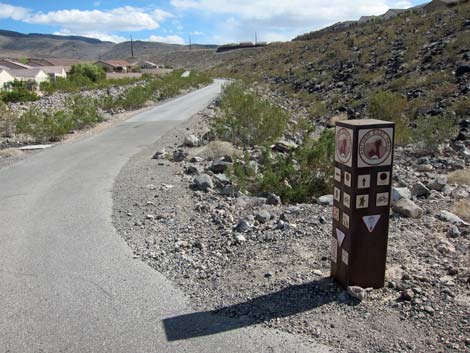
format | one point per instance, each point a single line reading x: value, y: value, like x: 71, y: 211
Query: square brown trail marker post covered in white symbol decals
x: 361, y: 208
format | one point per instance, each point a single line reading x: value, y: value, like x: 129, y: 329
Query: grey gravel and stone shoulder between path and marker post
x: 276, y: 272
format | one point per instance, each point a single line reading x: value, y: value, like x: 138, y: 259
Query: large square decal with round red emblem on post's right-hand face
x: 375, y: 147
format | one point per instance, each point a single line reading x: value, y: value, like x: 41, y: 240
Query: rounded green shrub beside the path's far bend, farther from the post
x: 247, y: 119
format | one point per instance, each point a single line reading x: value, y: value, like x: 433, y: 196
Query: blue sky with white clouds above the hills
x: 173, y: 21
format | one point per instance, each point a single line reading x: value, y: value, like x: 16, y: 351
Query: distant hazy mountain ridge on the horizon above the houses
x: 15, y: 44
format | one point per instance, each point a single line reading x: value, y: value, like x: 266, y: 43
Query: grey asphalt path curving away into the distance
x: 69, y: 283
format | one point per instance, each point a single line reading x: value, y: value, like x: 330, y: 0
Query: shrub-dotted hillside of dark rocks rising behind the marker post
x: 421, y: 59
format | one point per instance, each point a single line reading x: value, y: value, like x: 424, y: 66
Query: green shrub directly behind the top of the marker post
x: 390, y: 106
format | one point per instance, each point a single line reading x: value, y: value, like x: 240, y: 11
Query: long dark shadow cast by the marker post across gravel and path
x: 286, y: 302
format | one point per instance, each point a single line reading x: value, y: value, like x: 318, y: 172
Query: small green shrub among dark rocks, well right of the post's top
x: 431, y: 131
